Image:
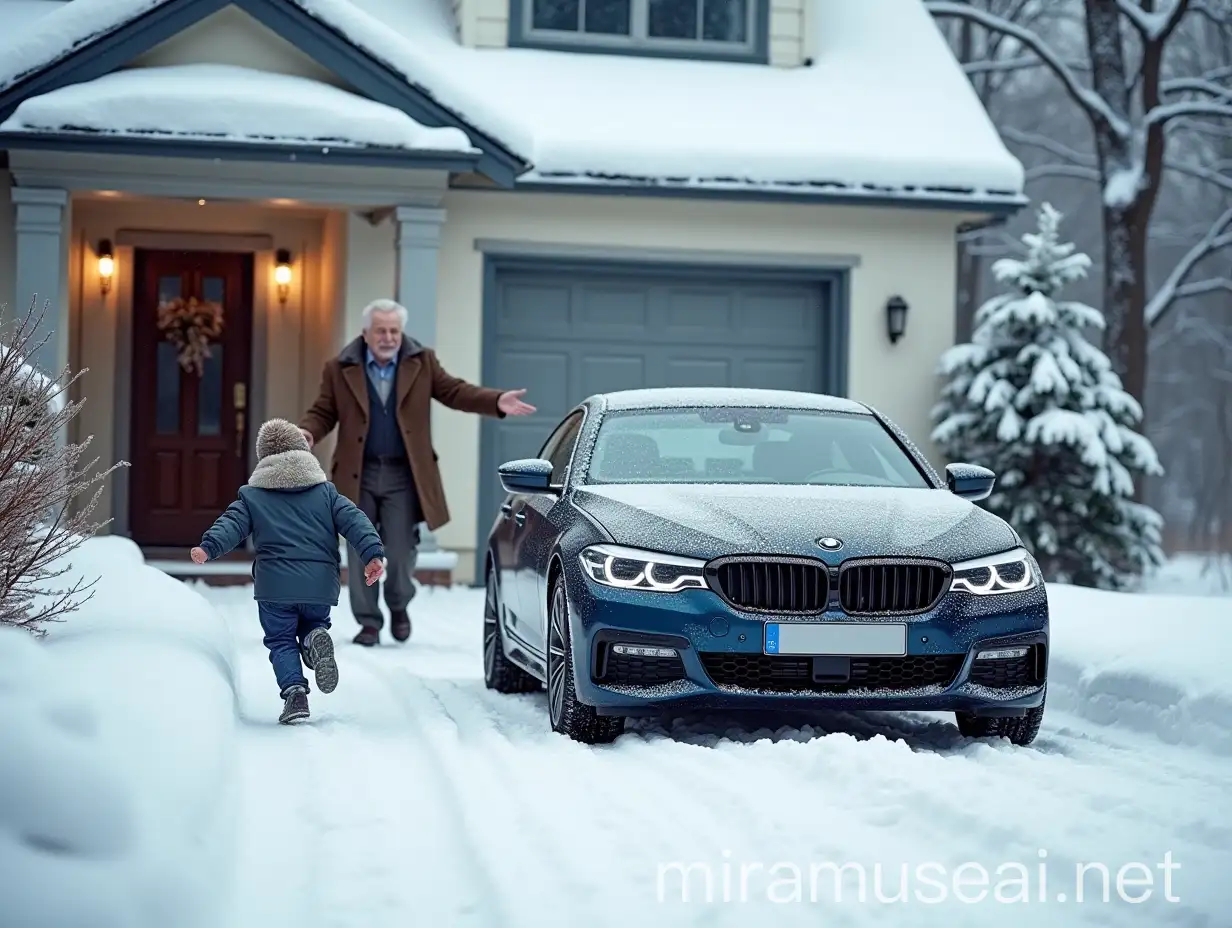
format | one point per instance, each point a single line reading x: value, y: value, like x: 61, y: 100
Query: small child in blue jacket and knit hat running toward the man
x: 295, y: 517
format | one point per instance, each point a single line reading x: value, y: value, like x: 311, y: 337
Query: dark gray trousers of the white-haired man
x: 389, y: 499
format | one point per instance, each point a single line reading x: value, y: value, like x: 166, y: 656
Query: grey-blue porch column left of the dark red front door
x: 41, y: 272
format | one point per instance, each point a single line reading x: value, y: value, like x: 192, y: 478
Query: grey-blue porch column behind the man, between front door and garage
x: 418, y: 243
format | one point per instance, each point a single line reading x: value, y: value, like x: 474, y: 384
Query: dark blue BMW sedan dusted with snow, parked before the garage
x: 675, y: 550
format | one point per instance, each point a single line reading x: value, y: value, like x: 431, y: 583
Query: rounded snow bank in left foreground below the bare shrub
x: 116, y: 781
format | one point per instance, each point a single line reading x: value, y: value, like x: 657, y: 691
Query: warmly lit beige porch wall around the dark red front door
x: 299, y: 335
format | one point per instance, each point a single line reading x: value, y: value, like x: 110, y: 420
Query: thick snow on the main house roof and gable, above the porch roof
x: 884, y: 110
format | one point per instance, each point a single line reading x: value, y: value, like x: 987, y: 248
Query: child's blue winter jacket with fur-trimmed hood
x: 295, y: 517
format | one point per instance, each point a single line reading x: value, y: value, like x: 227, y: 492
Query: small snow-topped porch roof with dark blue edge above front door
x: 222, y: 110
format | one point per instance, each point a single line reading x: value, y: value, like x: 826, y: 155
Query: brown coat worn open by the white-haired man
x: 344, y: 402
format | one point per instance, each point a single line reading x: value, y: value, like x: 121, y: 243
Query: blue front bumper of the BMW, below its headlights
x: 720, y: 661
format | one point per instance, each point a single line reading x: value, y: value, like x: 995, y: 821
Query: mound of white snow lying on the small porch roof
x: 220, y: 102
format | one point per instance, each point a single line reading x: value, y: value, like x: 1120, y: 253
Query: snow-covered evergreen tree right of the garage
x: 1034, y: 400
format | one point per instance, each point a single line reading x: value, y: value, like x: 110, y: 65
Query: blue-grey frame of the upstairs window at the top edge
x: 638, y: 41
